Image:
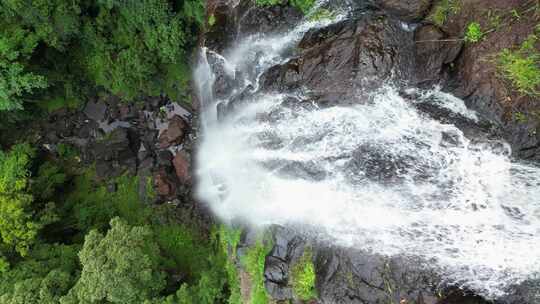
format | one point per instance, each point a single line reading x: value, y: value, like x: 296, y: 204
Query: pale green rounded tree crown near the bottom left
x: 120, y: 267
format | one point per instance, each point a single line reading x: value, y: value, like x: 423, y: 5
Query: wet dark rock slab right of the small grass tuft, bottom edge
x: 349, y: 276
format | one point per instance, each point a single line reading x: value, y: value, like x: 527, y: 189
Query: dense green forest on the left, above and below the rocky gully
x: 65, y: 237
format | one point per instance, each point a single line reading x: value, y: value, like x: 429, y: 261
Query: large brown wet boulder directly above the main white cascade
x: 346, y: 59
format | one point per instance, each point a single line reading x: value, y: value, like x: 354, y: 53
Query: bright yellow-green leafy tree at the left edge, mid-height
x: 19, y: 221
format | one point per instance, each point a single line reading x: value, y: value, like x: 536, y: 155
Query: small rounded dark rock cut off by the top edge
x: 406, y: 10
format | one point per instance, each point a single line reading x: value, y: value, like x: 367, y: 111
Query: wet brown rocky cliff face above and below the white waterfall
x: 383, y: 41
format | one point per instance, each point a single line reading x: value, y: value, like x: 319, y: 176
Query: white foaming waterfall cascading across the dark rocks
x: 378, y: 175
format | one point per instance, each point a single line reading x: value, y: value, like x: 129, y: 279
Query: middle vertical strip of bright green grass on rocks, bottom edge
x: 253, y: 262
